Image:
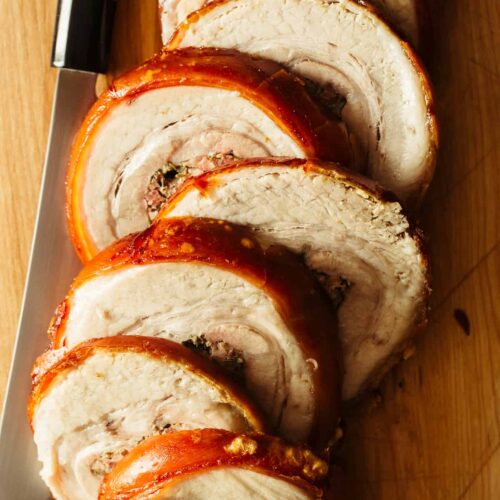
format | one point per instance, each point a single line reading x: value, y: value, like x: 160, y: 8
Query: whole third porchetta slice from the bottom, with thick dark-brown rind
x: 209, y: 285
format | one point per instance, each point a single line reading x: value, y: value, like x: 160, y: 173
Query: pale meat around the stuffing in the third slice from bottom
x: 179, y: 301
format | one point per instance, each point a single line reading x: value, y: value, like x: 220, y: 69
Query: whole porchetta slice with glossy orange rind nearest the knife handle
x: 180, y: 114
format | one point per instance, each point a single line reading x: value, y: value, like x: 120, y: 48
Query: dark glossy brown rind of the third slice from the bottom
x: 300, y: 300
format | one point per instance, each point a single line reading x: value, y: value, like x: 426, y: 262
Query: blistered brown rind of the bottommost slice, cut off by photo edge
x: 161, y: 462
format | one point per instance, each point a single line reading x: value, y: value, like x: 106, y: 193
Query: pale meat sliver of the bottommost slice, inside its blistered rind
x: 230, y: 483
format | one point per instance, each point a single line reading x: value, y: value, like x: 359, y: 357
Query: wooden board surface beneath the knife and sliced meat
x: 434, y: 431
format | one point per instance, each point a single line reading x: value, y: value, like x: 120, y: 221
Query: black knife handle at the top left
x: 82, y: 37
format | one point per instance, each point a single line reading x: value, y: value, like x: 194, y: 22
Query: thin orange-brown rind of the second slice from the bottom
x: 53, y: 364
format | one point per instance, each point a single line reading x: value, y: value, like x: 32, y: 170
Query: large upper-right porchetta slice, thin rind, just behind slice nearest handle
x: 352, y: 57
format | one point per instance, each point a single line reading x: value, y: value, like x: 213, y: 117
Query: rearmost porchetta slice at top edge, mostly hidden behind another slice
x: 403, y: 14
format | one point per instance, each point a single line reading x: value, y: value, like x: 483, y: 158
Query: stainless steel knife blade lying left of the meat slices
x: 53, y: 264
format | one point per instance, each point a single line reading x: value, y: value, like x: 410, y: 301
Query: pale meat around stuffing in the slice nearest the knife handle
x: 173, y: 124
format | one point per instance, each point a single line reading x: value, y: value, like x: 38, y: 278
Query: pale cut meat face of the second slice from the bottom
x: 110, y: 402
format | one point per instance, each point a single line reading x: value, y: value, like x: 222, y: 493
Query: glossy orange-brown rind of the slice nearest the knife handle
x: 266, y: 84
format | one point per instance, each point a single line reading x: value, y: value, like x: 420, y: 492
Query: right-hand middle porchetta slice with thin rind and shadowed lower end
x: 351, y: 233
